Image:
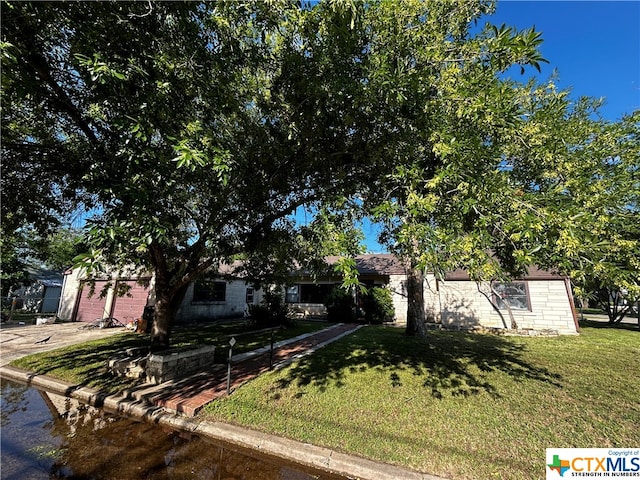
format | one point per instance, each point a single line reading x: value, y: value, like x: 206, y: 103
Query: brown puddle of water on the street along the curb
x: 48, y: 436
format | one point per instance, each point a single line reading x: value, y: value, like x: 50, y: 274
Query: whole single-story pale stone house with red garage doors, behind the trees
x: 541, y: 300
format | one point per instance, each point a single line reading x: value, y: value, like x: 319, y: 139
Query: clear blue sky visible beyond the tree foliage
x: 594, y: 46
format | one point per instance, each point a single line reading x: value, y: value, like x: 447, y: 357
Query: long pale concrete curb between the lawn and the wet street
x: 302, y: 453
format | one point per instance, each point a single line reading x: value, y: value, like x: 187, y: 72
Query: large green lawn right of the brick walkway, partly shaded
x: 460, y: 405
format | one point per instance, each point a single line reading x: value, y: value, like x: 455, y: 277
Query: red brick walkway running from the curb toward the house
x: 189, y: 395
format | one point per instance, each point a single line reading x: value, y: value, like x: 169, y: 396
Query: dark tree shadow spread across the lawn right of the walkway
x: 451, y: 363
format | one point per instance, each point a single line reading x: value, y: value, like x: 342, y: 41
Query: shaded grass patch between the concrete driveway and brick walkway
x: 85, y: 364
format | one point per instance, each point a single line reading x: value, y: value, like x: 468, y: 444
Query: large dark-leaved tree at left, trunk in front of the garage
x: 196, y: 129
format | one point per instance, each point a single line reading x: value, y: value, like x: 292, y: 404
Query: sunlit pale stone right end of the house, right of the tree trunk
x: 541, y: 300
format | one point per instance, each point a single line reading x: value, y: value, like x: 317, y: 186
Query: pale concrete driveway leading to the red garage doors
x: 20, y: 340
